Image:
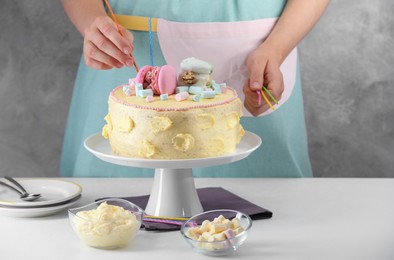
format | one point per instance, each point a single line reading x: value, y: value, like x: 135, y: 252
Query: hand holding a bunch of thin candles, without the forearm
x: 264, y: 70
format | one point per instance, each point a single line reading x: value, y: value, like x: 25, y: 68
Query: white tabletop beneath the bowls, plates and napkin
x: 313, y: 219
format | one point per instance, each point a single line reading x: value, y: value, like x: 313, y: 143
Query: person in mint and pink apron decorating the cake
x: 251, y: 43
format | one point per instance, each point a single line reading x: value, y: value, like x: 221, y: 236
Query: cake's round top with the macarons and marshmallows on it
x: 163, y: 89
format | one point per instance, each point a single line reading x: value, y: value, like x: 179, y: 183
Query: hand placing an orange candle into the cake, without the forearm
x: 104, y: 47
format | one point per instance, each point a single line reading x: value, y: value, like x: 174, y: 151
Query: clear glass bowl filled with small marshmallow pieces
x: 216, y: 232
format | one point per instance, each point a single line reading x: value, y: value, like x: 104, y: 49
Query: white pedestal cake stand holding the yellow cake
x: 173, y: 193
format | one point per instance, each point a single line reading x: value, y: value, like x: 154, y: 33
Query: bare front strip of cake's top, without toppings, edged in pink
x: 171, y: 104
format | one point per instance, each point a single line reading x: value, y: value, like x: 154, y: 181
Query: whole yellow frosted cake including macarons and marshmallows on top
x: 164, y: 115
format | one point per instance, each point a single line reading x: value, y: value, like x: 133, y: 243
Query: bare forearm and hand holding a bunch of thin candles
x: 296, y: 20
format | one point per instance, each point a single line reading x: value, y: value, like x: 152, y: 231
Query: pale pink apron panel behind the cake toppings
x: 226, y: 46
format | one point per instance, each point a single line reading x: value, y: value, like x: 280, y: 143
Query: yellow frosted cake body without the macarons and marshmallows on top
x: 171, y: 129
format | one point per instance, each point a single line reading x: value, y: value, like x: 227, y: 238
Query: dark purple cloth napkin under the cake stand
x: 223, y: 199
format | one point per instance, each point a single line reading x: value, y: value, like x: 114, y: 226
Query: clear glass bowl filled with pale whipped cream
x: 106, y: 224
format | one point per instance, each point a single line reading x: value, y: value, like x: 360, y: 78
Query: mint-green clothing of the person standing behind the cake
x: 284, y: 150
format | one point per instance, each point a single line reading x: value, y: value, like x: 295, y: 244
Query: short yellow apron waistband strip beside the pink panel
x: 136, y: 23
